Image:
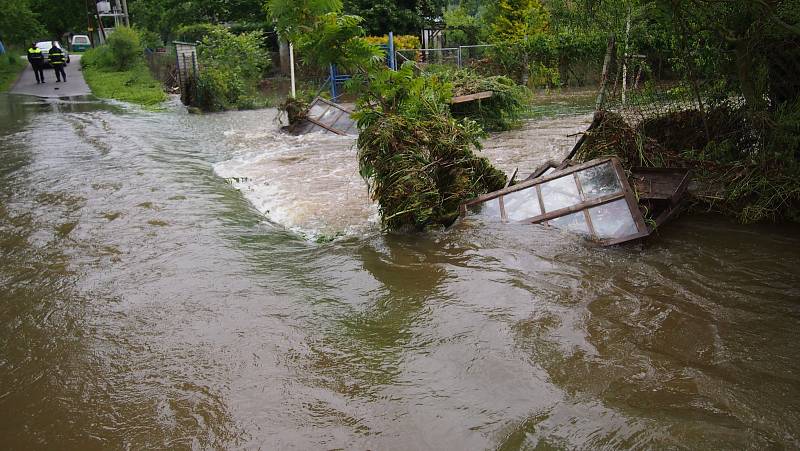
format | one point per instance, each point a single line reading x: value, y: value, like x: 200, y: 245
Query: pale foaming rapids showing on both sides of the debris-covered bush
x: 311, y: 185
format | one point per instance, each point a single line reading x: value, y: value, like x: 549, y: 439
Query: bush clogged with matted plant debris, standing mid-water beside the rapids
x: 419, y: 161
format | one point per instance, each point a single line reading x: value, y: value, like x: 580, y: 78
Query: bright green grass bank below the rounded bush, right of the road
x: 135, y: 85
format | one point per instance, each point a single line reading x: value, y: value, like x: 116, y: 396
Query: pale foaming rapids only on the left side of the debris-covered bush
x: 309, y: 184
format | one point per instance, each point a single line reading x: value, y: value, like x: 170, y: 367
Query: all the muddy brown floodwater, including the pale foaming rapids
x: 168, y: 281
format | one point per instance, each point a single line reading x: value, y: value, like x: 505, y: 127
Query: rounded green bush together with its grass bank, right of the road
x: 118, y: 71
